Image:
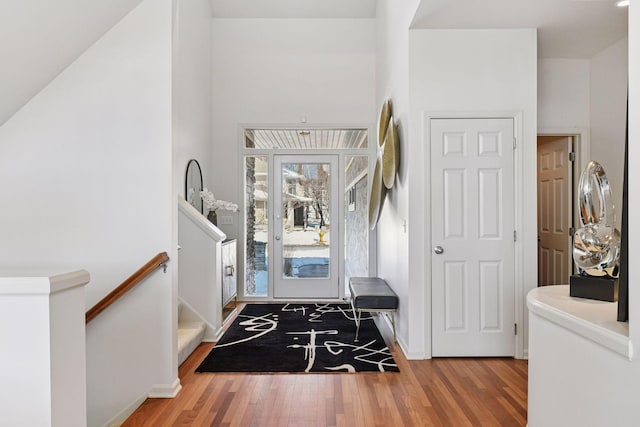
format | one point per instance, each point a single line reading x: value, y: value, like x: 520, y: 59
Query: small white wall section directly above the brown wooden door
x: 563, y: 93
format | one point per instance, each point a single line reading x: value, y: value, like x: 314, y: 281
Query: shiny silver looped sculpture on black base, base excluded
x: 596, y: 245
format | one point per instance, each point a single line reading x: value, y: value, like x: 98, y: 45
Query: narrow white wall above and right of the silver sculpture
x: 608, y: 114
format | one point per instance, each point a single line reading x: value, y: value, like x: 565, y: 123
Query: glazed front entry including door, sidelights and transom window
x: 296, y: 229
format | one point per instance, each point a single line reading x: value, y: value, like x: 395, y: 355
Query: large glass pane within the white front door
x: 306, y: 222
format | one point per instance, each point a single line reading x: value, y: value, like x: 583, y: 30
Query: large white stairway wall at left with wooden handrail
x: 85, y: 174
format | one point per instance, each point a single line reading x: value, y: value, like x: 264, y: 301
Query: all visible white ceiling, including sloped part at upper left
x: 39, y: 38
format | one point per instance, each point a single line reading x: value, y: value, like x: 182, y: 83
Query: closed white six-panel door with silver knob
x: 472, y: 232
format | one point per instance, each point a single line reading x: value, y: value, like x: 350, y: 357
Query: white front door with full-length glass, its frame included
x: 306, y: 227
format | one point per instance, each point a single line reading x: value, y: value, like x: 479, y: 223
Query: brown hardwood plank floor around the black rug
x: 438, y: 392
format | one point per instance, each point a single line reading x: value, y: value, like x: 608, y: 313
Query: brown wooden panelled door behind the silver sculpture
x: 554, y: 210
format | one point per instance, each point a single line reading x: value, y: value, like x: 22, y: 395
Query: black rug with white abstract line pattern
x: 299, y: 338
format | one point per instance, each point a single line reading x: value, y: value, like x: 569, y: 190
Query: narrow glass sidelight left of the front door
x: 256, y: 281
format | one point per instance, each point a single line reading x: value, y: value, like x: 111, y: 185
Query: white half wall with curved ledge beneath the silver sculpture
x: 581, y: 368
